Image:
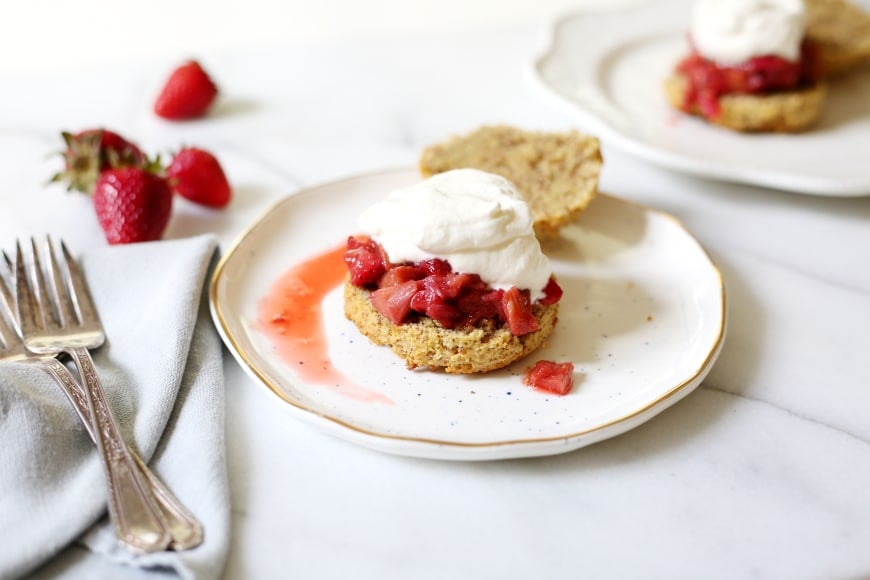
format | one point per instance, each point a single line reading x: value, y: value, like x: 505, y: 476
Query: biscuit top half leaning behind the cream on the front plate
x: 556, y: 172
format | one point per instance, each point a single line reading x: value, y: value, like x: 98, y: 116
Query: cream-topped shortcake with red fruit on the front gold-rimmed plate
x: 449, y: 274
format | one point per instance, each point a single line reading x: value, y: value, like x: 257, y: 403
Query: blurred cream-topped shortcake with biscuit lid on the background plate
x: 762, y: 65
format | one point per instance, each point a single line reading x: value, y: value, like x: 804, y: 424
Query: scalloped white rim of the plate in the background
x: 680, y: 163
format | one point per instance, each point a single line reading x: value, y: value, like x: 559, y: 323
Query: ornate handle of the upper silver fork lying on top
x: 132, y: 507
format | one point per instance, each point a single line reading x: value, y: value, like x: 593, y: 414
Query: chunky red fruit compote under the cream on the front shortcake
x: 403, y: 292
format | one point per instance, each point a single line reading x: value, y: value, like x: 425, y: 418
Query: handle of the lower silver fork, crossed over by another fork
x: 186, y: 530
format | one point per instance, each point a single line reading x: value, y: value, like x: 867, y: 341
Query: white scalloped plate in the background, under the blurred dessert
x: 607, y: 70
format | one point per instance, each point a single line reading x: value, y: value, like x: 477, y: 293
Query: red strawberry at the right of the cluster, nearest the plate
x: 197, y: 175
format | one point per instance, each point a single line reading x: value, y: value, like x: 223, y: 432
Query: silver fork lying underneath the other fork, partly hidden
x: 186, y: 531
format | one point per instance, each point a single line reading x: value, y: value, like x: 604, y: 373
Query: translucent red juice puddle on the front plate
x: 291, y: 315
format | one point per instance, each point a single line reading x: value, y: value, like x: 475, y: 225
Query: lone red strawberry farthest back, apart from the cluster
x: 187, y: 94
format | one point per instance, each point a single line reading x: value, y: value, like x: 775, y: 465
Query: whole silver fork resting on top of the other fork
x: 65, y: 321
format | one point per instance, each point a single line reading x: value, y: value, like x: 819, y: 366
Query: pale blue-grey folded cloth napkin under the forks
x: 161, y: 369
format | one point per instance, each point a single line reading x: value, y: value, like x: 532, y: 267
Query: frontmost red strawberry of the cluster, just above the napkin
x: 132, y: 204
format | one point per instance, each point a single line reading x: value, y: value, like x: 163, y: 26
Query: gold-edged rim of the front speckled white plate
x: 446, y: 449
